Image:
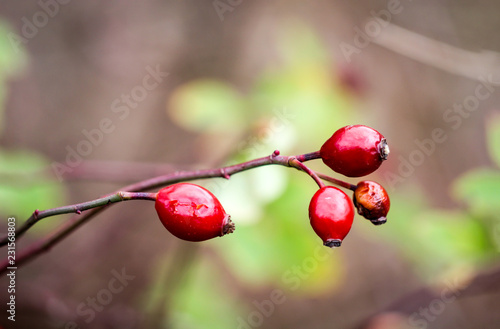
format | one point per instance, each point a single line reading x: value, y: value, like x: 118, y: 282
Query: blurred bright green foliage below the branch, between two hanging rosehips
x: 273, y: 250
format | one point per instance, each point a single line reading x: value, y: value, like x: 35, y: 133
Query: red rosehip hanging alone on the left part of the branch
x: 192, y: 213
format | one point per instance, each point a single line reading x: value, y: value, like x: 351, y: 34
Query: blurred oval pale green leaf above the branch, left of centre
x: 207, y: 106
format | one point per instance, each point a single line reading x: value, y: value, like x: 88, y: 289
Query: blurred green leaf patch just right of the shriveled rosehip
x: 435, y: 240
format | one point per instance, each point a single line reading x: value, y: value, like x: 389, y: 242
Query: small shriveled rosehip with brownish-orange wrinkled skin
x: 372, y: 201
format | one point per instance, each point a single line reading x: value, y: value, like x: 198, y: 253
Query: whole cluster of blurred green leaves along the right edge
x: 441, y: 241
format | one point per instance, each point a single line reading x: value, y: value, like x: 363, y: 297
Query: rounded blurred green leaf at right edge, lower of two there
x: 479, y: 189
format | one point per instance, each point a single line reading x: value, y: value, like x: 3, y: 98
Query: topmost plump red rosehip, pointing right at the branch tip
x: 355, y: 151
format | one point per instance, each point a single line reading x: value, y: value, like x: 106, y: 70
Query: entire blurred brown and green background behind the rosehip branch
x: 236, y: 80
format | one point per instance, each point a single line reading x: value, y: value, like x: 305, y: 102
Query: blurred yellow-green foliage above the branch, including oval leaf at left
x: 297, y: 97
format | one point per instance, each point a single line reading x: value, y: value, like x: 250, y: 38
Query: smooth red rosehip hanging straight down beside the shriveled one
x: 331, y: 214
